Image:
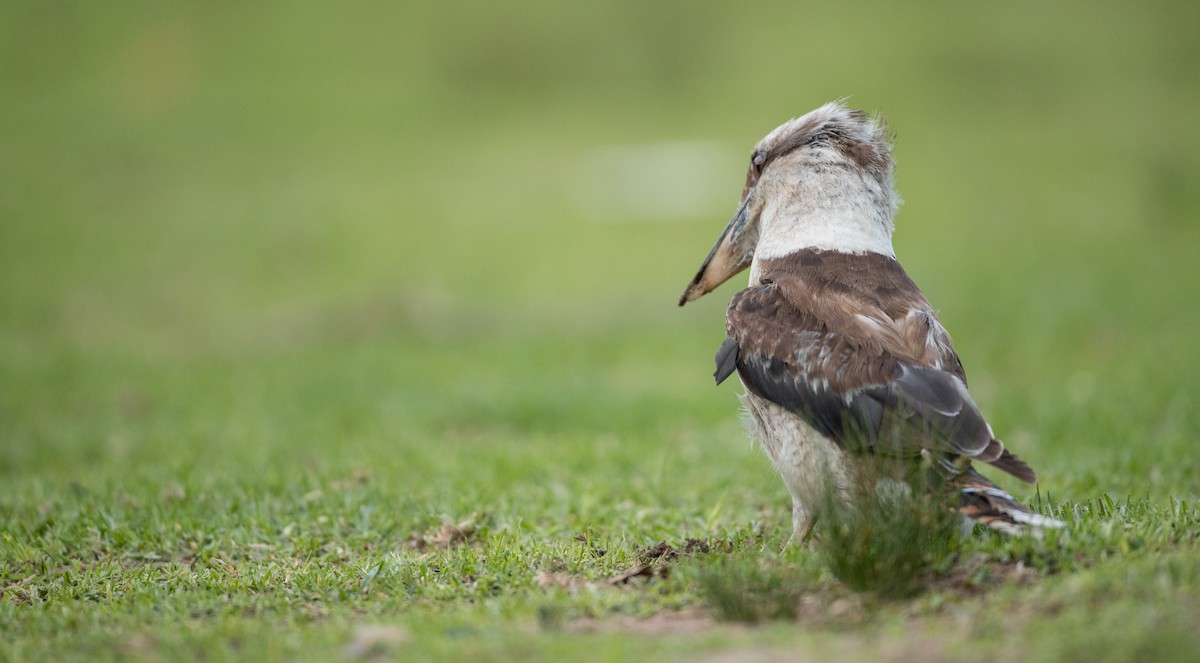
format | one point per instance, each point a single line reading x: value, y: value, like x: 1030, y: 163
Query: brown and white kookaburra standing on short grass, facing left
x: 838, y: 350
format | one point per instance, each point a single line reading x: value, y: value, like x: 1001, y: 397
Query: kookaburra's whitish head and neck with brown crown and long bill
x: 823, y: 181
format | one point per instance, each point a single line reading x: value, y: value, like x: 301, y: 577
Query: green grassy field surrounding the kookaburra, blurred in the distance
x: 309, y: 349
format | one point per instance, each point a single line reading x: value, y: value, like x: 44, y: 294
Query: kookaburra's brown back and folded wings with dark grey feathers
x: 859, y: 373
